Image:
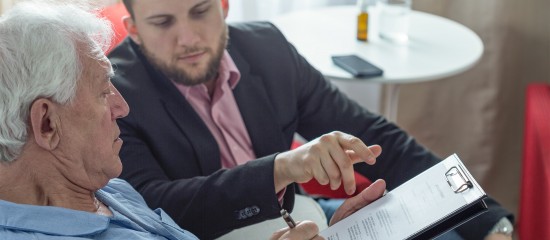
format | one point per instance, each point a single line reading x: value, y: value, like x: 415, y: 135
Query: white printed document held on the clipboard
x: 414, y: 207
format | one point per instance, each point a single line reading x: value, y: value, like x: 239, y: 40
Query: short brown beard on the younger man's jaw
x: 181, y: 76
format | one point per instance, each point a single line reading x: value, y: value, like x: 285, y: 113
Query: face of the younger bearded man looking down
x: 183, y: 38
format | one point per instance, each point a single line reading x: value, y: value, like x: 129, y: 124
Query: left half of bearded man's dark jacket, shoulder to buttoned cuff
x: 163, y: 164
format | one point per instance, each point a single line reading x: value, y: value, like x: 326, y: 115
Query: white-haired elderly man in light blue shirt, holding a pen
x: 59, y: 141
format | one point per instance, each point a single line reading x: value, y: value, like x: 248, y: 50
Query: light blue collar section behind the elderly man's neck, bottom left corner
x: 51, y: 220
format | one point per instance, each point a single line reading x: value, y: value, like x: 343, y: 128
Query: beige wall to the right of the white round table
x: 479, y: 114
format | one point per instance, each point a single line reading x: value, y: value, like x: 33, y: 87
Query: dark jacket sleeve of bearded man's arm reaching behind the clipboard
x: 323, y: 108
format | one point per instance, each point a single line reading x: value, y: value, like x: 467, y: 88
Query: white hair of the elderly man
x: 42, y: 45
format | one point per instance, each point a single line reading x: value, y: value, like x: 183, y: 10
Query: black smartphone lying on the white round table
x: 357, y: 66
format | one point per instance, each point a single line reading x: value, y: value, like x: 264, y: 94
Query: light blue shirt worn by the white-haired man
x: 131, y: 219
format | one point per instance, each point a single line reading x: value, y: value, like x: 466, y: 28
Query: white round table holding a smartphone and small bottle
x: 437, y: 47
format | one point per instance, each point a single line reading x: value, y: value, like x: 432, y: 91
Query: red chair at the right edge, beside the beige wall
x: 534, y: 209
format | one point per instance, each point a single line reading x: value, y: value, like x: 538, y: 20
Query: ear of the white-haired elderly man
x: 44, y: 123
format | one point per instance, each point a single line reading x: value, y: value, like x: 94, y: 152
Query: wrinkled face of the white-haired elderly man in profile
x: 89, y: 139
